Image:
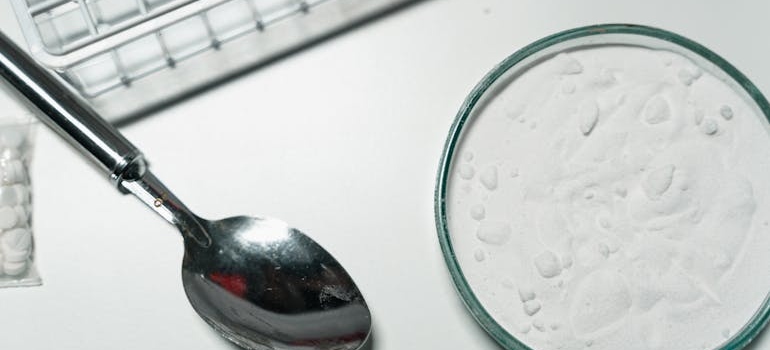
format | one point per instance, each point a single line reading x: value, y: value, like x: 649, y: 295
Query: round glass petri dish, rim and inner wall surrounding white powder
x: 507, y: 72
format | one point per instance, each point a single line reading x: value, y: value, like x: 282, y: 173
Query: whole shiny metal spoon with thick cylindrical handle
x: 258, y: 282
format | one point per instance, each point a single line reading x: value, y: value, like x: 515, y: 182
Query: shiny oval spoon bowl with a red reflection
x: 264, y: 285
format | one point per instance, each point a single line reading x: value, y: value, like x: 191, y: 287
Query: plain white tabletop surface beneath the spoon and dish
x: 342, y: 141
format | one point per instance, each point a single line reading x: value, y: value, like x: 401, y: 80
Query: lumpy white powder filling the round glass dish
x: 635, y: 213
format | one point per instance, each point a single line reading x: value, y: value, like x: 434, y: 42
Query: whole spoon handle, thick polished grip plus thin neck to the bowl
x: 70, y: 117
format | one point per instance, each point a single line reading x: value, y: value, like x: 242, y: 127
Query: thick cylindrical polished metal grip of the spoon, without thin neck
x: 69, y: 116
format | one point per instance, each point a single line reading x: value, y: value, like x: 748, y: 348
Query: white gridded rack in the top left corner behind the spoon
x: 129, y: 56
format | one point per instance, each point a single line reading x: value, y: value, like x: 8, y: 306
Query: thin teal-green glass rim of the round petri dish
x: 740, y: 339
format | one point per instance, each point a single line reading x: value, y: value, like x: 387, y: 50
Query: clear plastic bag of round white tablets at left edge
x: 17, y: 258
